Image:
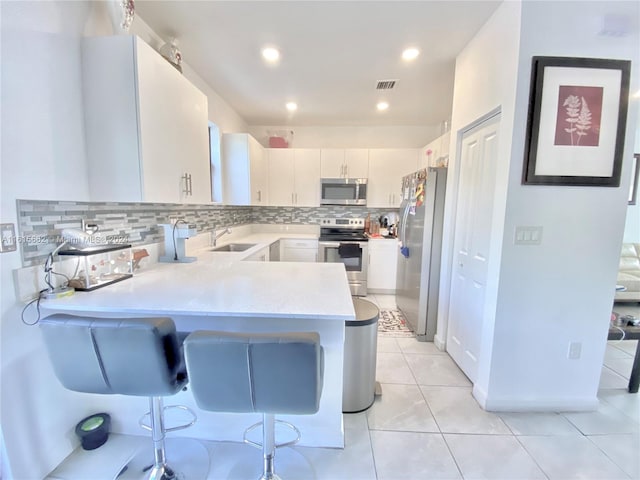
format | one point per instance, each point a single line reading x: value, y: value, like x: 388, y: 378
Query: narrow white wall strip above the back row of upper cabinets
x: 352, y: 137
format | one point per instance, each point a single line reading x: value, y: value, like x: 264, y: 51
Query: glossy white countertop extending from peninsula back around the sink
x: 222, y: 284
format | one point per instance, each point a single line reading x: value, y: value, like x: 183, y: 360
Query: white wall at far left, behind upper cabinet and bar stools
x: 43, y: 157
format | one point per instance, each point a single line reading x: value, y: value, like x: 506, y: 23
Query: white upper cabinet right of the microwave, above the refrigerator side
x: 387, y: 166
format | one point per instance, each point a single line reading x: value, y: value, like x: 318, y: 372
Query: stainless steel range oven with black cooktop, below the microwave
x: 342, y: 240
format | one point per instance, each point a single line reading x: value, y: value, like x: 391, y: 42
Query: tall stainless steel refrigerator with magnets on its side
x: 420, y: 240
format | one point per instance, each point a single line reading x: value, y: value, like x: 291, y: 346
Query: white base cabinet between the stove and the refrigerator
x: 383, y: 263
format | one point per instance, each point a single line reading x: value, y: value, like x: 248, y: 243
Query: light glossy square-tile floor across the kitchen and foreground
x: 427, y: 425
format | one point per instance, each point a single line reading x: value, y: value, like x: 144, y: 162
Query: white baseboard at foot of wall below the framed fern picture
x: 513, y: 404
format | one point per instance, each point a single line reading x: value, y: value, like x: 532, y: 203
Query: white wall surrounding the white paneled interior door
x: 484, y: 83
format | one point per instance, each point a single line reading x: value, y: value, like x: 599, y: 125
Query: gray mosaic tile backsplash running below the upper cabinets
x: 40, y: 222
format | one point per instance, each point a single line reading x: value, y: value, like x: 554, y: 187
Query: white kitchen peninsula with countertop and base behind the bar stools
x: 221, y: 292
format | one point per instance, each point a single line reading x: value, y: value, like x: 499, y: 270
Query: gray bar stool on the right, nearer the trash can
x: 265, y: 373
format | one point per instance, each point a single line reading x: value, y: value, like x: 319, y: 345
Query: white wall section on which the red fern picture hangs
x: 562, y: 290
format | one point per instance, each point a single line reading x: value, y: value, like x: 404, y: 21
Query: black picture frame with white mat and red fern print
x: 576, y: 121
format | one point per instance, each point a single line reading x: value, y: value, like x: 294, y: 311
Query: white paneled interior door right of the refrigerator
x: 471, y: 244
